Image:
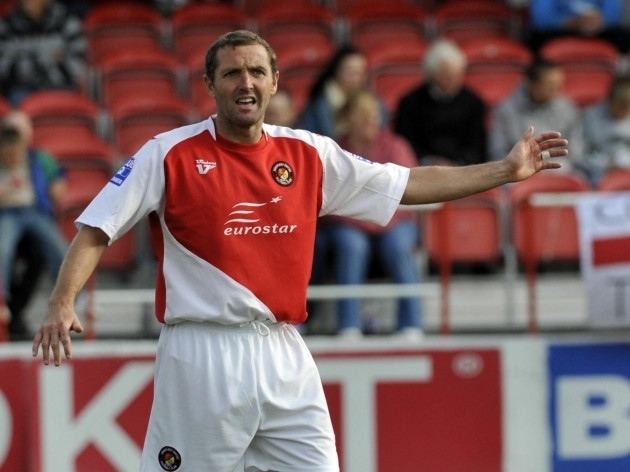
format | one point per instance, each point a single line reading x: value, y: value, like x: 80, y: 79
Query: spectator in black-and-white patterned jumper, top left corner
x: 41, y: 47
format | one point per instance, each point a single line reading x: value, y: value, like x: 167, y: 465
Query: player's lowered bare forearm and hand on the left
x: 80, y: 261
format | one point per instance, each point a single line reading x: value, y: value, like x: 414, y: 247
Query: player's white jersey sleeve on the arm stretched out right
x: 358, y: 188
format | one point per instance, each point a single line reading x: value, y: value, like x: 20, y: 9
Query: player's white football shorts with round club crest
x: 230, y: 398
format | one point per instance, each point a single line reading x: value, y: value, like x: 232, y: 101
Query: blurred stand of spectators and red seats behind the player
x: 452, y: 82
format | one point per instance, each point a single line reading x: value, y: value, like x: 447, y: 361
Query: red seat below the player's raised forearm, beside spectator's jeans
x: 465, y: 230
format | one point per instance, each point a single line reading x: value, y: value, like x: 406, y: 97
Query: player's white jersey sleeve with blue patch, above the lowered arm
x: 134, y: 191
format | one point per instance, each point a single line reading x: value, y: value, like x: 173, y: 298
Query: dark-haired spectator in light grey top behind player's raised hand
x: 539, y: 102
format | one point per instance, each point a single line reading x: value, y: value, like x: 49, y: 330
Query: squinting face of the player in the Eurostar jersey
x: 242, y: 85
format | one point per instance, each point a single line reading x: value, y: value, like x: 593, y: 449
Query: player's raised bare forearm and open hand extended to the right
x: 438, y: 184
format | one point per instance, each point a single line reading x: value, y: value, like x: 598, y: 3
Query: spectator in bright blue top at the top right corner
x: 591, y: 18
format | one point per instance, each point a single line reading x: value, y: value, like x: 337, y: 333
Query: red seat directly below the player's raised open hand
x: 545, y: 233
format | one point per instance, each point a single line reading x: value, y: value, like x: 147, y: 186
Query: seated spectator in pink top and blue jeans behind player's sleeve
x: 353, y: 242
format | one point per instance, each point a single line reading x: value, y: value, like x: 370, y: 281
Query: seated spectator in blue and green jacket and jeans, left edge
x: 31, y: 185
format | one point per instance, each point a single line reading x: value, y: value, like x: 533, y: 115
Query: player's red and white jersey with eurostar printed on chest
x: 237, y: 222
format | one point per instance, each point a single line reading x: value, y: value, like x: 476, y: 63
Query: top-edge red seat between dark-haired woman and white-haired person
x: 378, y: 22
